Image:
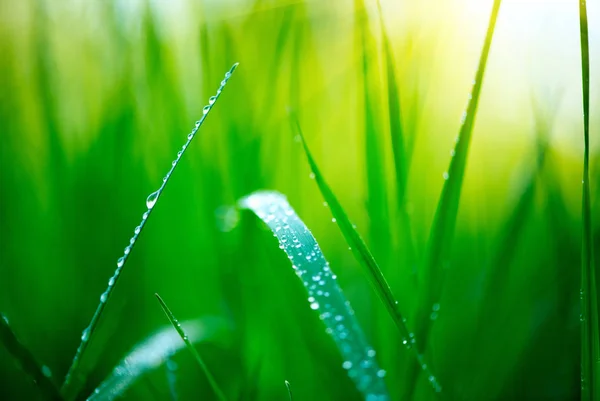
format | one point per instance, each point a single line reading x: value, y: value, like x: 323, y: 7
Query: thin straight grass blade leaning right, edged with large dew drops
x: 150, y: 203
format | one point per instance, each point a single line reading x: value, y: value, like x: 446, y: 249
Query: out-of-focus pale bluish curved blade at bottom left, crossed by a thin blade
x: 150, y: 354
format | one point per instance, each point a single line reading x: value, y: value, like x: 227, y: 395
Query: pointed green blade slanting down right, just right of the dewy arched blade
x: 366, y: 259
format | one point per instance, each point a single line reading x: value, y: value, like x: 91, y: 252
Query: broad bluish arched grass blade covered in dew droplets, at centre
x: 325, y: 296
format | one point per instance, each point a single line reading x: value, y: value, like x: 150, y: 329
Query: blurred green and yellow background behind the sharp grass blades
x: 97, y: 97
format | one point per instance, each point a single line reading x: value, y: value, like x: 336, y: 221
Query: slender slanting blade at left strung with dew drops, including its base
x: 75, y: 377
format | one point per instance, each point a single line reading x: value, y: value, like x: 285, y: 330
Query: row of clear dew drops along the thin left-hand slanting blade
x: 153, y: 197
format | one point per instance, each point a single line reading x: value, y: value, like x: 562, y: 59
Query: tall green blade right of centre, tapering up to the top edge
x: 440, y: 240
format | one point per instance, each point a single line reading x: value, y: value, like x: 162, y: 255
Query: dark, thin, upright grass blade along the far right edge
x: 590, y: 375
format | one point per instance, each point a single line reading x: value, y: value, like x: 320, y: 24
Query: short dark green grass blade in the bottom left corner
x: 26, y: 360
